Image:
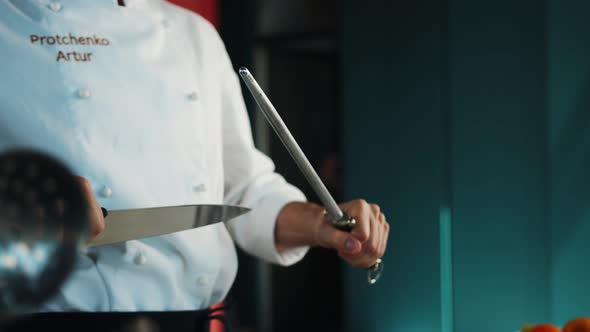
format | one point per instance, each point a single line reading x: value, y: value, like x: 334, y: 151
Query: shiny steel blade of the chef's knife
x: 125, y: 225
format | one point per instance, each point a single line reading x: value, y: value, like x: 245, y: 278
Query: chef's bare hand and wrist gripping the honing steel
x: 301, y: 223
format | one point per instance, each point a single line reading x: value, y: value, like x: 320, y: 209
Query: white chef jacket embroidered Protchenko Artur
x: 142, y: 101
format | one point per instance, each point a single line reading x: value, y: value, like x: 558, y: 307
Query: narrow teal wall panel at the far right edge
x: 569, y: 151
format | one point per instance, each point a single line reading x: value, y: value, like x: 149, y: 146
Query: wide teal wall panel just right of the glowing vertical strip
x: 499, y: 164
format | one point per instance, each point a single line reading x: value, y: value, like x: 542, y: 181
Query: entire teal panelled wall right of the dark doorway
x: 480, y: 106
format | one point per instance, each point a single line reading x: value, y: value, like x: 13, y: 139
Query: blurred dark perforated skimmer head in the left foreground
x: 43, y: 217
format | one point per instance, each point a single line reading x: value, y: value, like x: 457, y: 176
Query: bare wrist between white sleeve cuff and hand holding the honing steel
x: 297, y: 225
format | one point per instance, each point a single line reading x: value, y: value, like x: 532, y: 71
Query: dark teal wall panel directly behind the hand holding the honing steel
x: 394, y: 148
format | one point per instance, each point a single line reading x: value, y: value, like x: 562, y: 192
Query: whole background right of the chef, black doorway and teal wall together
x: 467, y: 121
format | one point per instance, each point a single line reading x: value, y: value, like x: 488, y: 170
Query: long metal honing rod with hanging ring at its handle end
x: 338, y: 218
